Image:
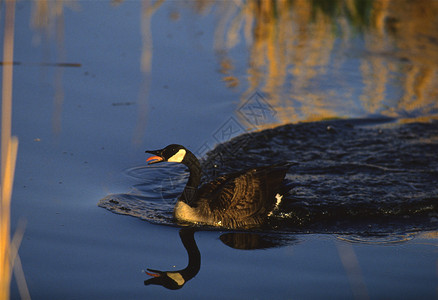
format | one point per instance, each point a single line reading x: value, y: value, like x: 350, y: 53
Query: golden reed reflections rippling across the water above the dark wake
x: 312, y: 59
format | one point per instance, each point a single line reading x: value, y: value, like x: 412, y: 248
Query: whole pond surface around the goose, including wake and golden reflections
x: 96, y: 83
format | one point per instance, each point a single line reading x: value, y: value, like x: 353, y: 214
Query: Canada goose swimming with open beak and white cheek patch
x: 241, y: 199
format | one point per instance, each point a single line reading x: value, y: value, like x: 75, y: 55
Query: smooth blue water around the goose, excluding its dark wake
x: 85, y: 145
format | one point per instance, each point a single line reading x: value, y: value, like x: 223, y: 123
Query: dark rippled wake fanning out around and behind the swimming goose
x: 368, y: 176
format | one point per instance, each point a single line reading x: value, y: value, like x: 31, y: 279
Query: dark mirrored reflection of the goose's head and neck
x: 174, y: 280
